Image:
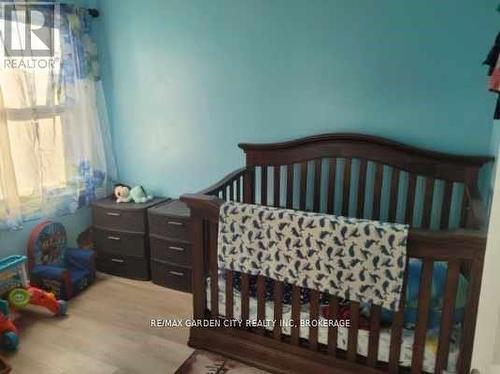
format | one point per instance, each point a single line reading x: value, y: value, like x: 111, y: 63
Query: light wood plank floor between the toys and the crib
x: 107, y: 330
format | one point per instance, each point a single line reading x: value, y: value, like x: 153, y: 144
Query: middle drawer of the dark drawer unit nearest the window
x: 119, y: 243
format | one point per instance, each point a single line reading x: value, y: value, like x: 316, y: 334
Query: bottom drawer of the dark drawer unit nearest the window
x: 130, y: 267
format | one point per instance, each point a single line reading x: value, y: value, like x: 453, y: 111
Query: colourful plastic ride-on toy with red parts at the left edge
x: 17, y: 293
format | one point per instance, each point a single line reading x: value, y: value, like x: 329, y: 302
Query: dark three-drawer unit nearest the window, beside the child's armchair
x: 121, y: 237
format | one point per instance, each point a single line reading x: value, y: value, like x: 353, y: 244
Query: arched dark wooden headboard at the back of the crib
x: 366, y: 177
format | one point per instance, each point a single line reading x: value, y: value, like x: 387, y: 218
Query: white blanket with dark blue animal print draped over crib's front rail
x: 359, y: 260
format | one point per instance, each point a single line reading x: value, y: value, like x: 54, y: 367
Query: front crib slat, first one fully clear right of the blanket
x: 424, y: 298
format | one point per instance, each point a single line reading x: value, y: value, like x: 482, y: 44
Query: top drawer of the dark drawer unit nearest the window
x: 115, y: 219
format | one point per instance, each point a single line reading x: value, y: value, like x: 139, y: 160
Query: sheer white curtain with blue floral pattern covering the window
x: 55, y: 147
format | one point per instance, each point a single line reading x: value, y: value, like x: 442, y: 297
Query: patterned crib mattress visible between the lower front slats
x: 342, y: 335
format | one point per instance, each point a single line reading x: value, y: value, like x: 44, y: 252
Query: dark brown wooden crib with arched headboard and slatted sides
x: 358, y: 176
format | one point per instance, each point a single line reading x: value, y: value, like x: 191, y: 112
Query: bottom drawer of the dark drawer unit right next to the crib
x: 171, y: 276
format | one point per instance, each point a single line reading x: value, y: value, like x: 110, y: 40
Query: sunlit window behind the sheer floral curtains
x: 34, y: 121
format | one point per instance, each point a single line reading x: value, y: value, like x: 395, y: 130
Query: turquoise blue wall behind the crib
x: 186, y: 80
